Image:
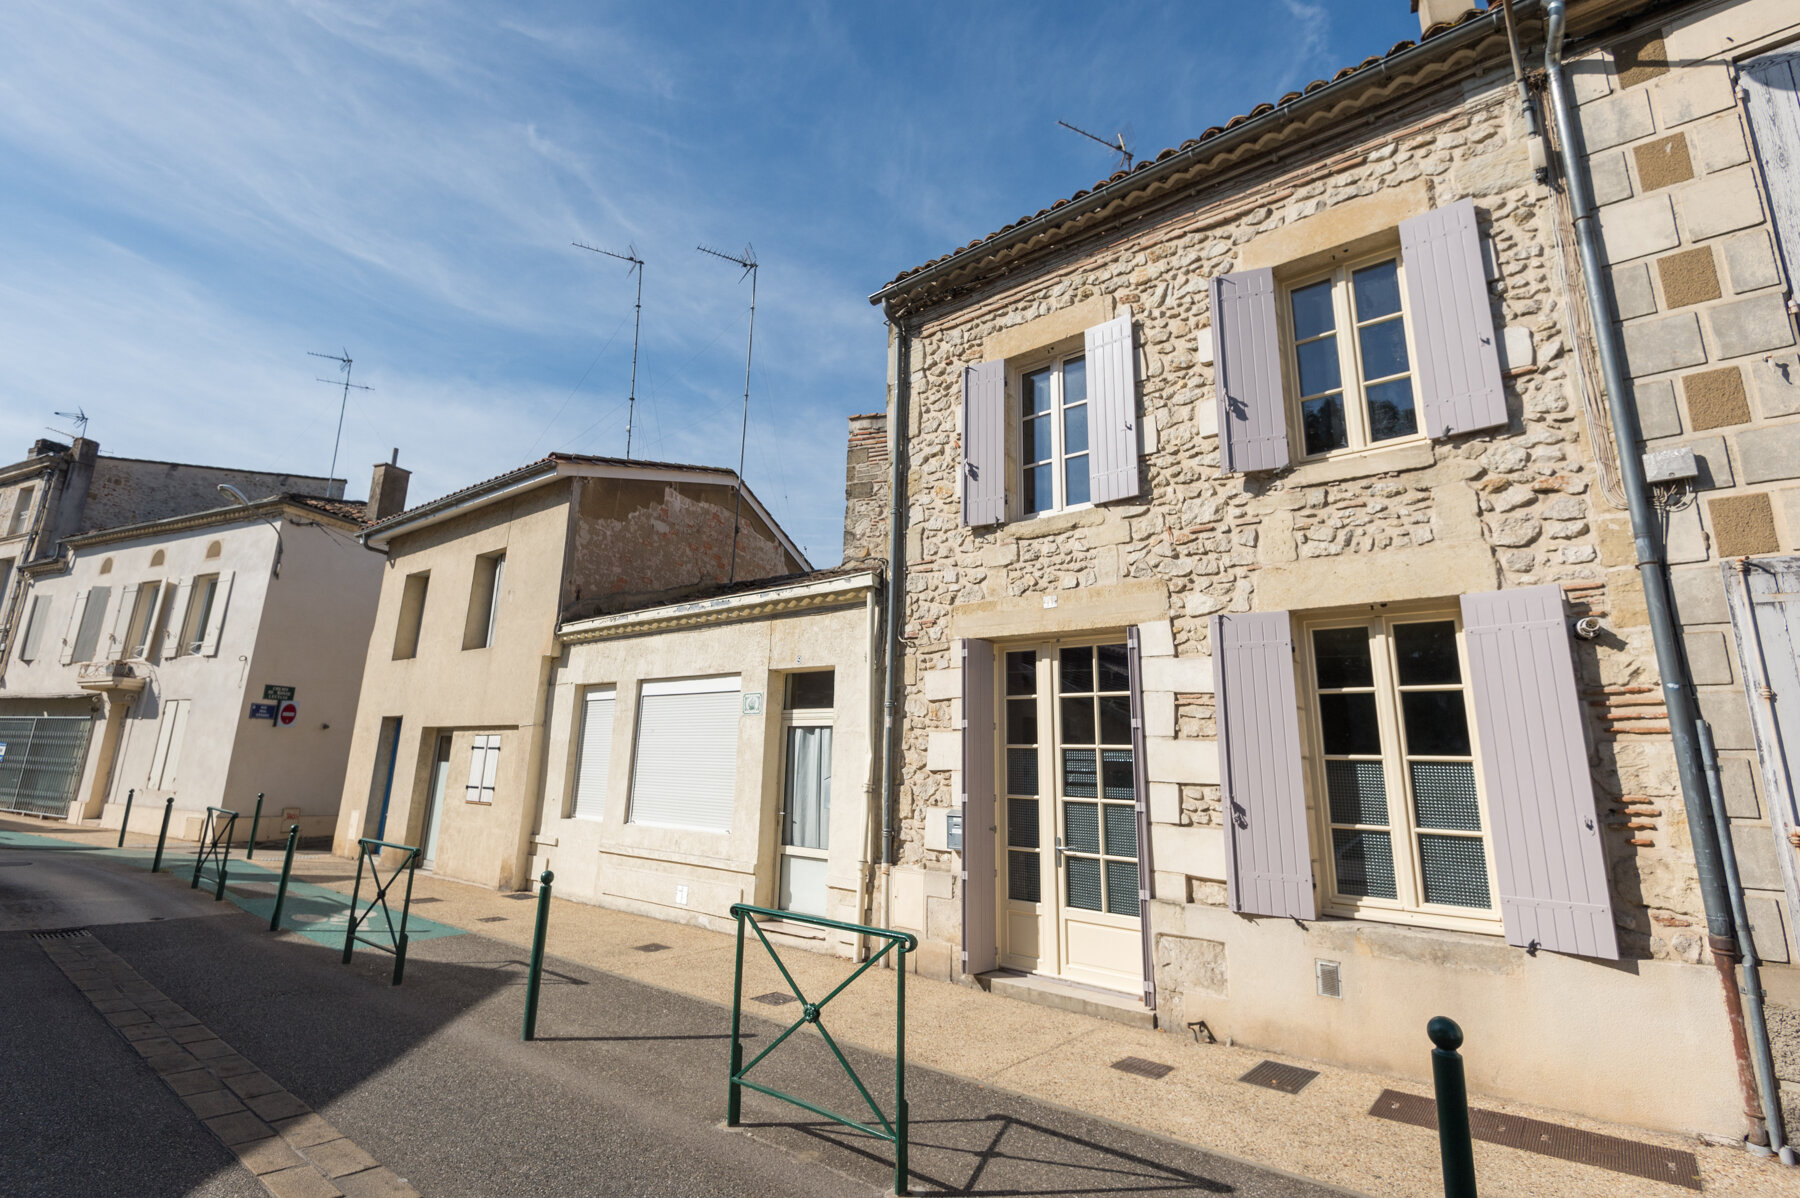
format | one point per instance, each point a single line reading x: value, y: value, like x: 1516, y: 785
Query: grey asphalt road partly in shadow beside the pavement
x: 624, y: 1093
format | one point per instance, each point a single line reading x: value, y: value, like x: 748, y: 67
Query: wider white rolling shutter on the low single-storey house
x: 687, y: 769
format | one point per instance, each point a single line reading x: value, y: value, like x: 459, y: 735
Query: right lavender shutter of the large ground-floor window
x: 1534, y: 762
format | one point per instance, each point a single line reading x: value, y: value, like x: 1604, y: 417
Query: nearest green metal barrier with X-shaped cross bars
x: 892, y: 1131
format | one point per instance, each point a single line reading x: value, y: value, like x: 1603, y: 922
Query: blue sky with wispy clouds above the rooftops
x: 195, y: 195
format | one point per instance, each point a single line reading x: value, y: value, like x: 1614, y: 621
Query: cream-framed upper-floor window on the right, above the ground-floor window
x: 1349, y: 359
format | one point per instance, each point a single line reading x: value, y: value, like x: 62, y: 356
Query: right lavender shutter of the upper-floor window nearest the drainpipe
x: 1453, y: 326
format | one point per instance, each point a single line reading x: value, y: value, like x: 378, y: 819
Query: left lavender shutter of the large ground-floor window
x: 1268, y: 852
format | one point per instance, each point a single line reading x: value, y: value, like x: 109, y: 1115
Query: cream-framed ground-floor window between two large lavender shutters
x: 1394, y: 773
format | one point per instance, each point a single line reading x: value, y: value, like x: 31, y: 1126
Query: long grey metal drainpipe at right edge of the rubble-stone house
x: 1671, y: 665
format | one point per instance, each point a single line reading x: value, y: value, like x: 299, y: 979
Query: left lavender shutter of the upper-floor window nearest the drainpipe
x: 1248, y: 373
